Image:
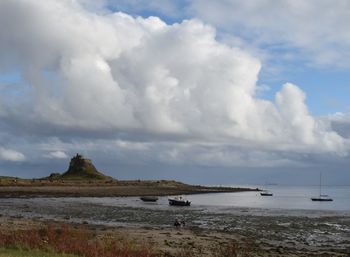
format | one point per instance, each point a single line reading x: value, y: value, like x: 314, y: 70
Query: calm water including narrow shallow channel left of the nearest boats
x: 284, y: 200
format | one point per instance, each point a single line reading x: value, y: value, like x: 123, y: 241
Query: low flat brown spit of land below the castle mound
x: 108, y: 189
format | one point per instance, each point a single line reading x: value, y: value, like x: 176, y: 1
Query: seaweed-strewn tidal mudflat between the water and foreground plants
x: 263, y: 232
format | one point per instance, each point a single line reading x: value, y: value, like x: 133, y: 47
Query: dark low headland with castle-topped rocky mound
x: 82, y: 179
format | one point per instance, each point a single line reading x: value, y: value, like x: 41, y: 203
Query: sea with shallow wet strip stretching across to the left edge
x: 286, y: 201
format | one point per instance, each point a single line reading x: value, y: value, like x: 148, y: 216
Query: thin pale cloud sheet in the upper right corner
x: 317, y: 28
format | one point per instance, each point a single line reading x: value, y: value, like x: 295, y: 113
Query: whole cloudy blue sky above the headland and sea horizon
x: 206, y: 92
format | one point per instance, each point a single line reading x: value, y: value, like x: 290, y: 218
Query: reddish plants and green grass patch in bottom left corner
x: 68, y: 240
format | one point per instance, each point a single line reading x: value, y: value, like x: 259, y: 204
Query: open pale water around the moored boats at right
x: 284, y: 197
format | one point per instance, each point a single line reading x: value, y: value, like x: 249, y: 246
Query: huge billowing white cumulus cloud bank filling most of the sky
x: 109, y: 73
